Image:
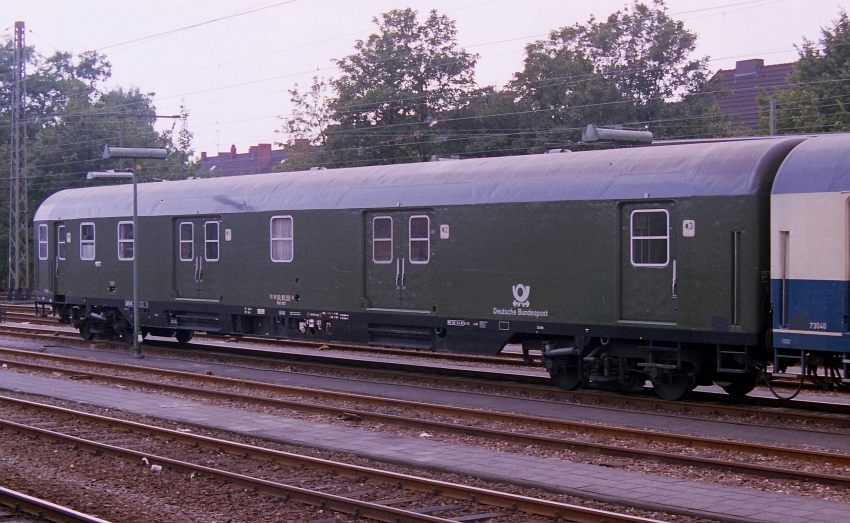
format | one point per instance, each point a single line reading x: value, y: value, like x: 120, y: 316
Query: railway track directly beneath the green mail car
x: 523, y: 383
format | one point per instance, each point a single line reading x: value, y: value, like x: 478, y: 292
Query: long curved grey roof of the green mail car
x: 674, y: 171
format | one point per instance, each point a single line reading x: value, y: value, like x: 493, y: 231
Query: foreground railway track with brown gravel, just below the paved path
x: 357, y: 491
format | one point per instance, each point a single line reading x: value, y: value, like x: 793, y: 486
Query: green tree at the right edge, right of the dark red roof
x: 819, y: 97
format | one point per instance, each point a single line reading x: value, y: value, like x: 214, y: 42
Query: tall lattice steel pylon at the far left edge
x: 19, y: 274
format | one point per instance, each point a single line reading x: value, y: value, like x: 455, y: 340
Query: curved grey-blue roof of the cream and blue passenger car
x: 819, y: 165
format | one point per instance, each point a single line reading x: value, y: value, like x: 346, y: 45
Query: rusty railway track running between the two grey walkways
x: 679, y: 450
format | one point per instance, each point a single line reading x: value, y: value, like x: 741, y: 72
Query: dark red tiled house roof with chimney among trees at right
x: 742, y: 87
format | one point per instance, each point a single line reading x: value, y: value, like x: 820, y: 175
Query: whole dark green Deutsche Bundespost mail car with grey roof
x: 620, y: 266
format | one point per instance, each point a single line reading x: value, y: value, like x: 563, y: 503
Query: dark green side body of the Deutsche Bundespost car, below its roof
x: 573, y: 257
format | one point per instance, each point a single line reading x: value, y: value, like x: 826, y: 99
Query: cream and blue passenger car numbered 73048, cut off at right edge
x: 810, y: 254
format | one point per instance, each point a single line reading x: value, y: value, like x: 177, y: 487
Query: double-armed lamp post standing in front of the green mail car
x: 135, y: 153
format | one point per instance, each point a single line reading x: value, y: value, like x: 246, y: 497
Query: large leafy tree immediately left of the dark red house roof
x: 633, y: 68
